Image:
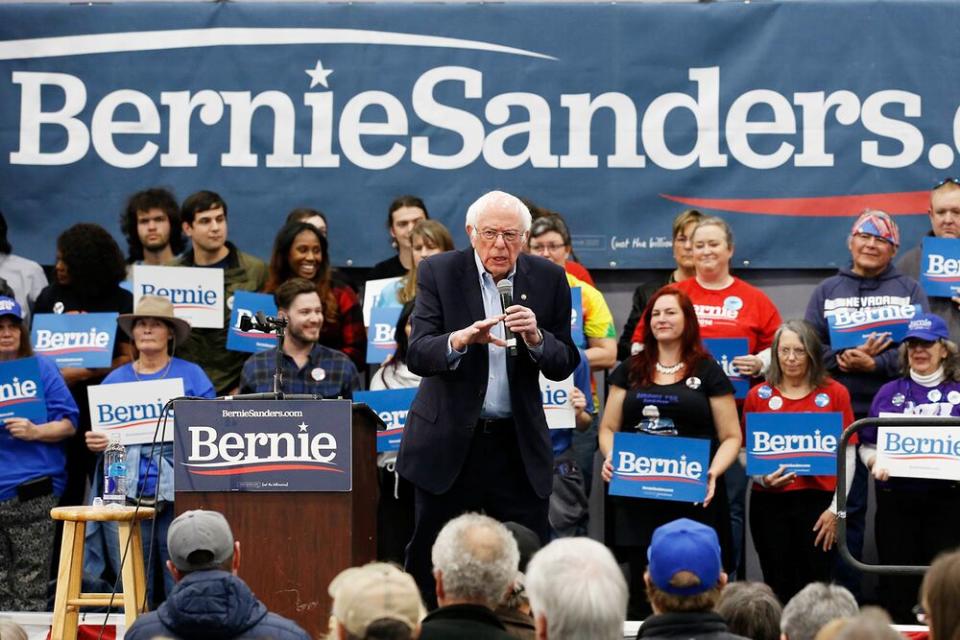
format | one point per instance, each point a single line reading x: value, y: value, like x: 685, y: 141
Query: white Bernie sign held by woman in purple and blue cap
x: 919, y: 452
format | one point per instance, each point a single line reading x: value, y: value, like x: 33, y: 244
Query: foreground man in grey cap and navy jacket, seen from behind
x: 209, y: 601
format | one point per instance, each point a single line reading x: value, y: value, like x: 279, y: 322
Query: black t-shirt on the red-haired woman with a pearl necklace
x: 685, y: 404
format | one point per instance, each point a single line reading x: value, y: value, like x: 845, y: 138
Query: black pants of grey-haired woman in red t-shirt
x: 782, y: 528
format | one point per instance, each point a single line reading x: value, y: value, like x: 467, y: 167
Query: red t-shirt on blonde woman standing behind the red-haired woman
x: 737, y: 311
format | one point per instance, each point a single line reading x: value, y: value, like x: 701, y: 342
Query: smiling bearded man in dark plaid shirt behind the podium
x: 308, y: 367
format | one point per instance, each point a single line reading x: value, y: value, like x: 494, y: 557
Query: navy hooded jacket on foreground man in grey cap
x: 213, y: 605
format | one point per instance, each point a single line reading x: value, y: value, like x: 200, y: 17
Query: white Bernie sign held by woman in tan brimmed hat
x: 133, y: 408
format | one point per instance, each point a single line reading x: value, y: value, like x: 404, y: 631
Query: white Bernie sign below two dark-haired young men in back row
x: 196, y: 292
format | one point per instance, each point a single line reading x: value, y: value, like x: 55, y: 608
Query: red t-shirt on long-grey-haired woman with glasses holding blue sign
x: 760, y: 399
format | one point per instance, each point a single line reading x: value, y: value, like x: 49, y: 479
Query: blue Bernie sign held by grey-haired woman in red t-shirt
x: 804, y: 443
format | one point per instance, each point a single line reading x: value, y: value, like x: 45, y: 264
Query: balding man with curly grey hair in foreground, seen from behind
x: 475, y: 561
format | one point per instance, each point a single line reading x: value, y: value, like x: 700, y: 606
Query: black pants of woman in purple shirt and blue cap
x: 911, y: 528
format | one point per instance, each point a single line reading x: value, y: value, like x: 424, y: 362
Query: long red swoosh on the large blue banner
x: 904, y: 203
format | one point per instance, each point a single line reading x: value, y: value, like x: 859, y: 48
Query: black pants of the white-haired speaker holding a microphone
x: 493, y: 481
